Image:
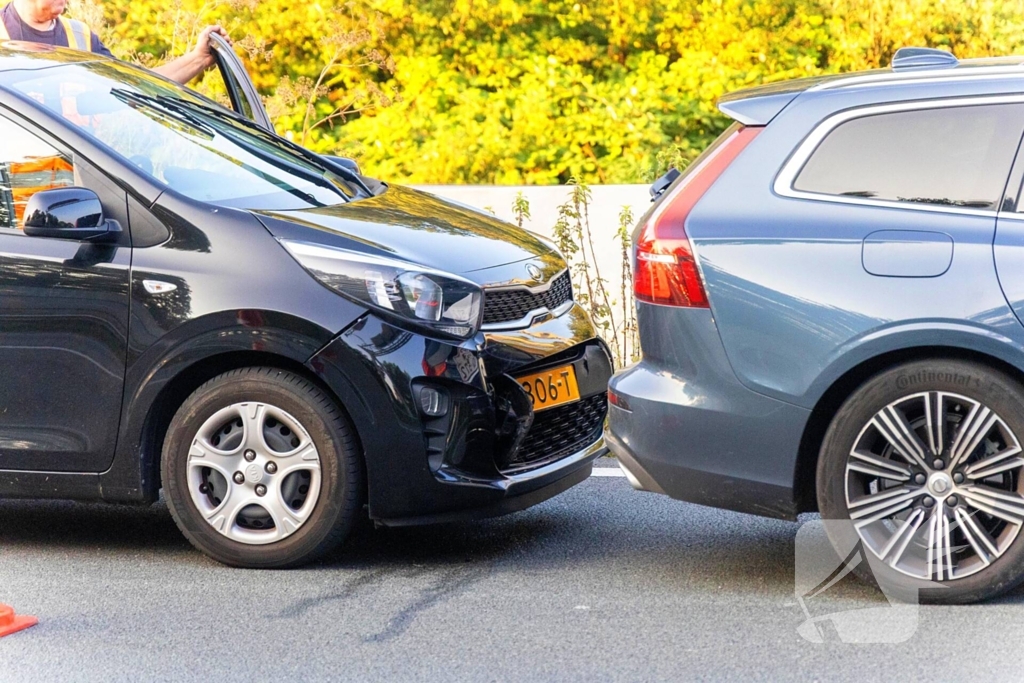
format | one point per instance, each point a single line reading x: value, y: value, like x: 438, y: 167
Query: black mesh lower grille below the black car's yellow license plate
x: 561, y: 432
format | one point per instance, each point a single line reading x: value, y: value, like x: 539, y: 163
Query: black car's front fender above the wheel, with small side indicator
x: 207, y: 319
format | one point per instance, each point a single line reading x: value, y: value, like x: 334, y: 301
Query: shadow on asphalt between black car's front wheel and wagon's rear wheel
x: 668, y: 545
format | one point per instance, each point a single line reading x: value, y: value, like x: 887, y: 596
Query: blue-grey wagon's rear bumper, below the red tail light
x: 682, y: 424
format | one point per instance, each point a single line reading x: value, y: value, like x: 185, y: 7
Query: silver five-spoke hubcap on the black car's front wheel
x: 280, y: 468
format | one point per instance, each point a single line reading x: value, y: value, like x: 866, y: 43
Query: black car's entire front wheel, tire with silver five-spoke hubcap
x: 273, y: 431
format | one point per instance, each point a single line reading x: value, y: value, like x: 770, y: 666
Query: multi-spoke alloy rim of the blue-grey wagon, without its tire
x: 934, y: 487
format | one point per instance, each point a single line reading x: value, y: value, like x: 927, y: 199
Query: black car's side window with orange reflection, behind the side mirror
x: 28, y: 165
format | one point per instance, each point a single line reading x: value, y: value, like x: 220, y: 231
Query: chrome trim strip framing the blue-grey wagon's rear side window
x: 788, y: 176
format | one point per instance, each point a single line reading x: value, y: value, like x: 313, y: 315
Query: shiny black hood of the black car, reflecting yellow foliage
x: 426, y: 230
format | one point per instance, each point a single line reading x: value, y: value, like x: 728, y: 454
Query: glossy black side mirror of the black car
x: 68, y: 214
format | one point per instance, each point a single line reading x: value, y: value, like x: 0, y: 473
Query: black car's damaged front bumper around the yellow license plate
x: 489, y: 454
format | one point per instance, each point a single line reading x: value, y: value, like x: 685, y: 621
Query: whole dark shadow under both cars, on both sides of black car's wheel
x: 662, y: 543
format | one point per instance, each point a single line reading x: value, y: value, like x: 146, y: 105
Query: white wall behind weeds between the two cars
x: 544, y: 201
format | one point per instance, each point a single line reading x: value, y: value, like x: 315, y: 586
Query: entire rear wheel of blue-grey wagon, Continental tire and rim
x: 942, y: 535
